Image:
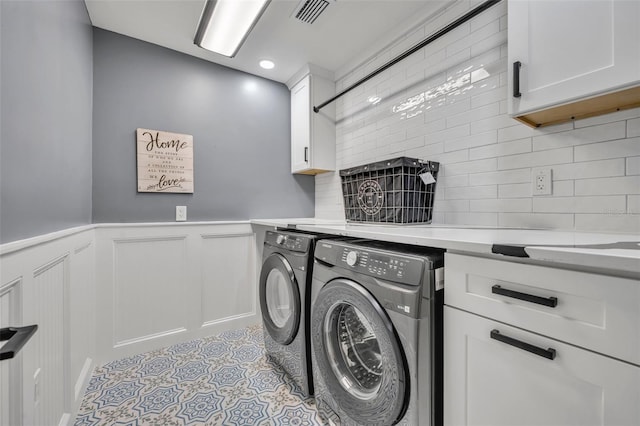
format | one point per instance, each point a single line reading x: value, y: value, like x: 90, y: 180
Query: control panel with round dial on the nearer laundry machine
x: 404, y: 269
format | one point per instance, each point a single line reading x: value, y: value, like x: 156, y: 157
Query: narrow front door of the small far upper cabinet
x: 301, y: 125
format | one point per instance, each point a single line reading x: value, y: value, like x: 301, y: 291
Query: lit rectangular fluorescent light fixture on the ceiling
x: 225, y: 24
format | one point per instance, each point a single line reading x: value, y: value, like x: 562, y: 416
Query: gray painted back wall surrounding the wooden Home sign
x: 240, y: 125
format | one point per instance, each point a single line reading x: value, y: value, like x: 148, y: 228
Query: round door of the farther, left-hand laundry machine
x: 279, y: 299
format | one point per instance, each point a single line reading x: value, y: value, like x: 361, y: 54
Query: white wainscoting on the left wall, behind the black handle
x: 43, y: 273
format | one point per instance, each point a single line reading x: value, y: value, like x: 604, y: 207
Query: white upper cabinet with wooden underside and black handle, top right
x: 577, y: 58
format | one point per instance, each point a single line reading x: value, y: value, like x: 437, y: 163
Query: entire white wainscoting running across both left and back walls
x: 103, y: 292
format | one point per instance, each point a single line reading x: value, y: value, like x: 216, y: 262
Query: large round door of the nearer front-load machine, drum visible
x: 359, y: 355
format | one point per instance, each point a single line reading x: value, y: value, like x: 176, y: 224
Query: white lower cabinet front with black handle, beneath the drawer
x: 488, y: 382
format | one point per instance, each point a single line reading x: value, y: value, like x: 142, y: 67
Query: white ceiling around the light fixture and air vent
x: 347, y: 33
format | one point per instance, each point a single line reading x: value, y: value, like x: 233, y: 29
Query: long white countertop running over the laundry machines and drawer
x: 540, y: 245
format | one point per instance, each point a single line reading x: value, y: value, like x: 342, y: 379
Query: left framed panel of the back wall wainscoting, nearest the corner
x: 150, y: 276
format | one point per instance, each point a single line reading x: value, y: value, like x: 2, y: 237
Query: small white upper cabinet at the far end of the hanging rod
x: 313, y: 134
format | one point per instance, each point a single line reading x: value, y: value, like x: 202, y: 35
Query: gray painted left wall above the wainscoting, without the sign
x: 45, y: 128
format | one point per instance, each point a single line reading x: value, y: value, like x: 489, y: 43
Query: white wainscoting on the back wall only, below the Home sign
x: 162, y: 284
